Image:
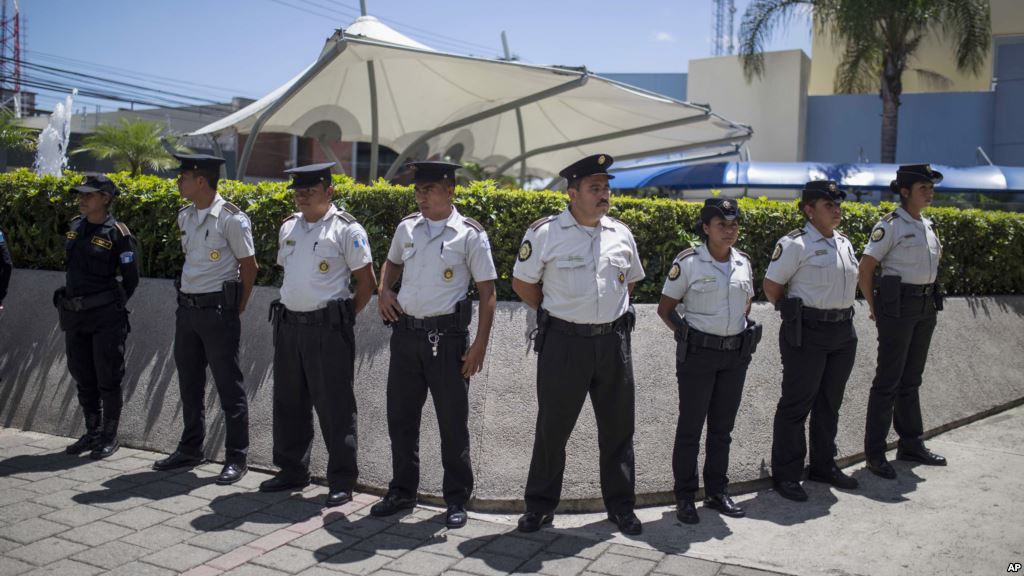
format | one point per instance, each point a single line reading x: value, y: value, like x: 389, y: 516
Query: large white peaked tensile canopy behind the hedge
x: 376, y: 86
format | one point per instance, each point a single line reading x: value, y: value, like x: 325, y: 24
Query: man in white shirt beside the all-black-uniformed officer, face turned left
x: 219, y: 275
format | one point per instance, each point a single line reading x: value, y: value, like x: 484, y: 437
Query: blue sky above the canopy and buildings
x: 216, y: 50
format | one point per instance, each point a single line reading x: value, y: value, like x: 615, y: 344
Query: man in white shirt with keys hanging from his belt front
x: 436, y: 253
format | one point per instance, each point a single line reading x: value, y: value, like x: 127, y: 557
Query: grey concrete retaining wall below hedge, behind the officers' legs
x: 976, y: 366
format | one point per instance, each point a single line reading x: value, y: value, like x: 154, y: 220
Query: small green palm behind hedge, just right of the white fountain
x: 133, y: 144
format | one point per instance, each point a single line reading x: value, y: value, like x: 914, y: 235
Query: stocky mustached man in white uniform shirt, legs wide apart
x: 578, y: 270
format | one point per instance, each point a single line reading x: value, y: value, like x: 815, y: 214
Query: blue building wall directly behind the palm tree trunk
x: 943, y: 128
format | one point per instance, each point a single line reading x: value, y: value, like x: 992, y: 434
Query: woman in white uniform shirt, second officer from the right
x: 813, y: 280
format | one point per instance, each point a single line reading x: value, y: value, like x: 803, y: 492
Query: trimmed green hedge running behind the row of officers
x: 985, y: 251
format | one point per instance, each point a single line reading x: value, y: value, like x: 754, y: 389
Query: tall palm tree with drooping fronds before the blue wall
x: 879, y: 39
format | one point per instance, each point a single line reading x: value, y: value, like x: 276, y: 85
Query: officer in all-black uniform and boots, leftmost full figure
x: 93, y: 312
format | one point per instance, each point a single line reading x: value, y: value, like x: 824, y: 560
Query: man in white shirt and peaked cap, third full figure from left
x: 321, y: 249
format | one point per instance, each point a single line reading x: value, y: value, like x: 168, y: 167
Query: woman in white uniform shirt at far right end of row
x: 905, y: 312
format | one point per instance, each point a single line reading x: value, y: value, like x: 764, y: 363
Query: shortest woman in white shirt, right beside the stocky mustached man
x: 715, y: 284
